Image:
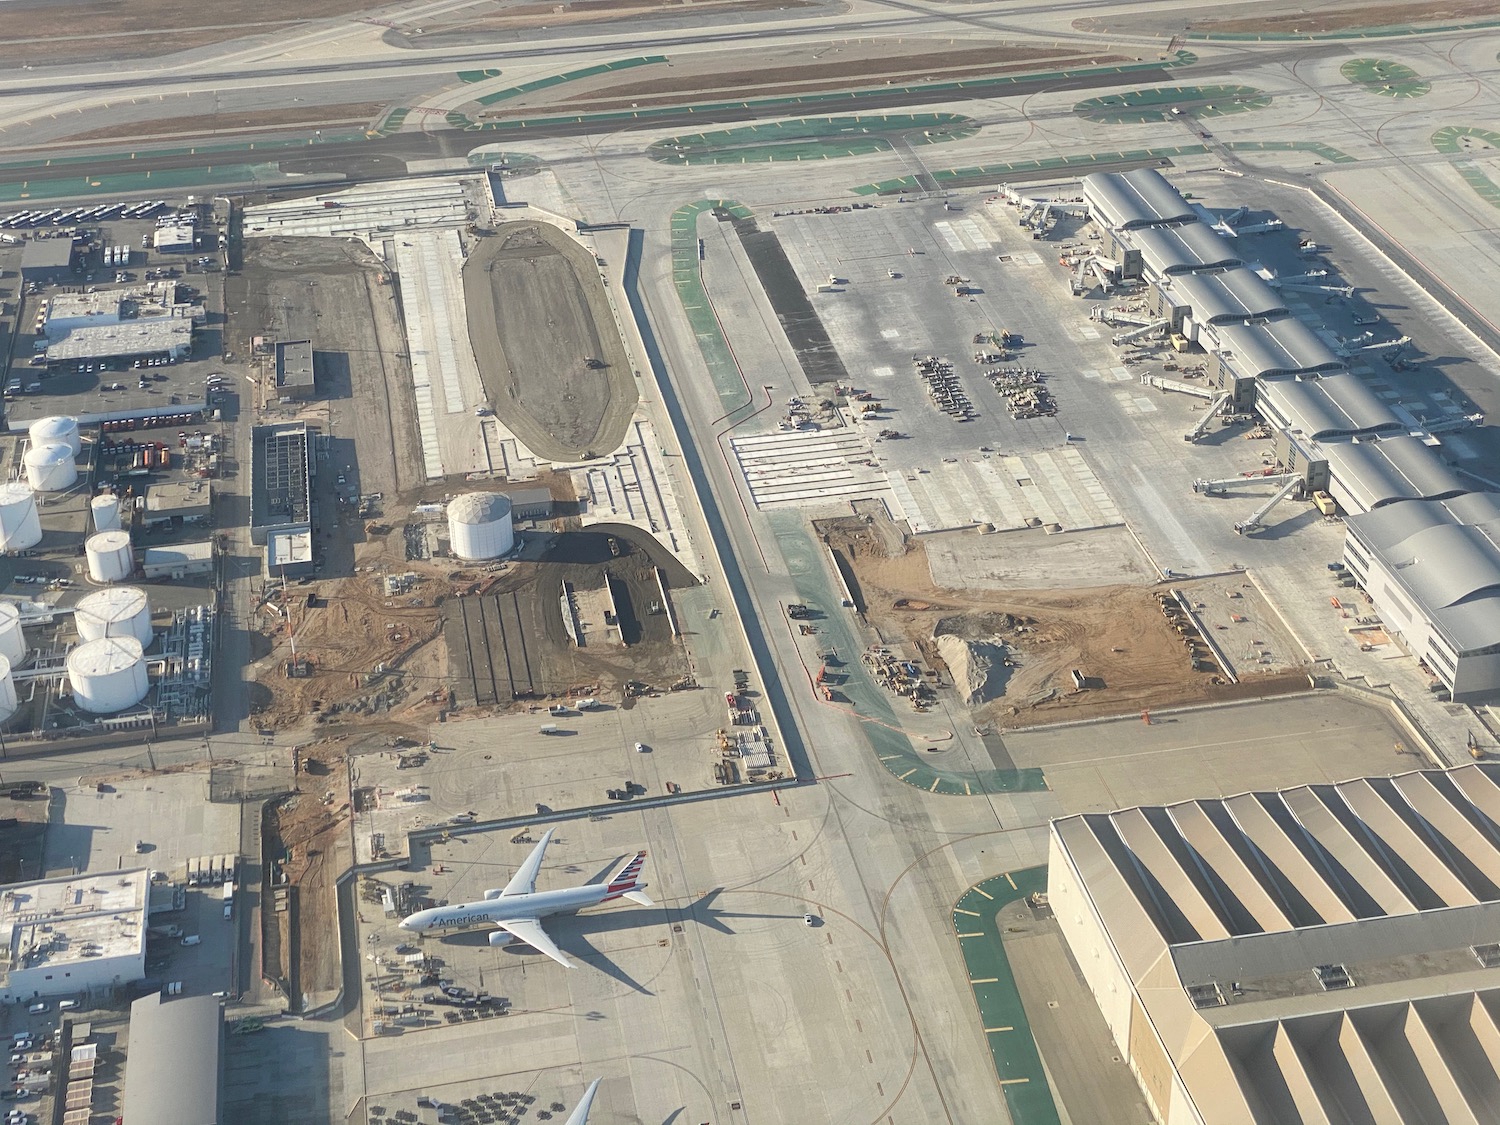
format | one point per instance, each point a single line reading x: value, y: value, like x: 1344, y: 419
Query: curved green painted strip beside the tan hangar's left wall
x: 1018, y: 1064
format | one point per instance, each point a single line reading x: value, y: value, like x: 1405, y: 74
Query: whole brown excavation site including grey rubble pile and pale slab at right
x: 1013, y: 656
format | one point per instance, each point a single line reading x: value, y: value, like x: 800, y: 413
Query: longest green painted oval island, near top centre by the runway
x: 811, y: 139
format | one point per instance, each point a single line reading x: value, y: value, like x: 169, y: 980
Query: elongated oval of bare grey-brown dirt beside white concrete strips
x: 545, y: 338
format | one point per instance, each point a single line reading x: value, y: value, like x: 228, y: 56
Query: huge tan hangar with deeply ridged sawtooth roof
x: 1318, y: 955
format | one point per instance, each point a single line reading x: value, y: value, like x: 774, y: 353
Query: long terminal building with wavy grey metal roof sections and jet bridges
x: 1421, y: 544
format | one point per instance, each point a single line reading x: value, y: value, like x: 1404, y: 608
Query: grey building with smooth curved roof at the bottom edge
x: 175, y: 1063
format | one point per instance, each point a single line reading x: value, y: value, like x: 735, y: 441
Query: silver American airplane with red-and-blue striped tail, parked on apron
x: 520, y: 908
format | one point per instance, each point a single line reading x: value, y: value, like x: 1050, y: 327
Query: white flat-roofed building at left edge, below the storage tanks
x: 76, y: 934
